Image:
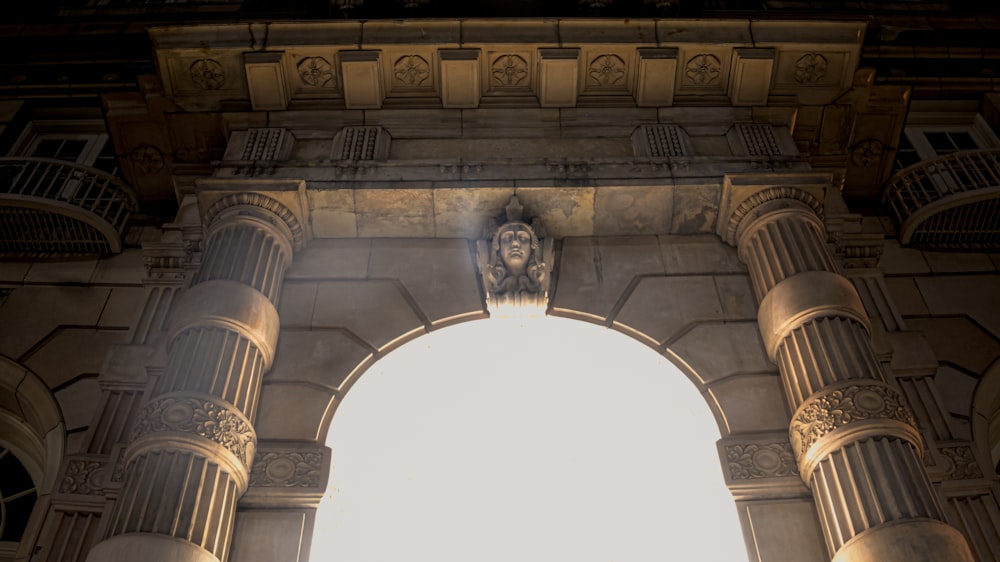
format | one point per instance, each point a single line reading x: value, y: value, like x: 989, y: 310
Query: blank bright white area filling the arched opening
x: 549, y: 440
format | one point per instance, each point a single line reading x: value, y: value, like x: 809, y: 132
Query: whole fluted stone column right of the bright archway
x: 854, y: 437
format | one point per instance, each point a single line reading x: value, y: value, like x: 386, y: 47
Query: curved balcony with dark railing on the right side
x: 949, y: 202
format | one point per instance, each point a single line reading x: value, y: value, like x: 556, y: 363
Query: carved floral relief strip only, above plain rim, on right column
x: 833, y: 409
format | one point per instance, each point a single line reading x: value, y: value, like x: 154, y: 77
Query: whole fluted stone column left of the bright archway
x: 193, y: 442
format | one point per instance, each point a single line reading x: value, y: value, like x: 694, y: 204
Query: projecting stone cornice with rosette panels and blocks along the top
x: 477, y: 63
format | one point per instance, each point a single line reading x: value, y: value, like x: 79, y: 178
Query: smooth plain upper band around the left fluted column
x: 229, y: 305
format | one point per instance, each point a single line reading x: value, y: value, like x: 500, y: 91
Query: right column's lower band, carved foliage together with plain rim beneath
x: 847, y: 412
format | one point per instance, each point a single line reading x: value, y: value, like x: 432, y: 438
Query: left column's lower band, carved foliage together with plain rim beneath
x: 187, y: 420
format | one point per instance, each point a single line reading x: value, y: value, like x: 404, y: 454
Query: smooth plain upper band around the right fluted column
x: 803, y: 298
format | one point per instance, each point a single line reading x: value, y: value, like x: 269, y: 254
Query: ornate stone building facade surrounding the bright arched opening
x: 243, y: 230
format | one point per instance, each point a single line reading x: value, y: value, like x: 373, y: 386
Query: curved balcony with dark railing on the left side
x: 56, y: 208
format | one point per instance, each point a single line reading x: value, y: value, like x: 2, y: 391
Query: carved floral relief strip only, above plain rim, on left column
x: 201, y: 417
